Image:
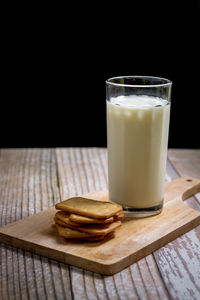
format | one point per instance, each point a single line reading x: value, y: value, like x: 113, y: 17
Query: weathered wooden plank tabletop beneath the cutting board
x: 32, y: 180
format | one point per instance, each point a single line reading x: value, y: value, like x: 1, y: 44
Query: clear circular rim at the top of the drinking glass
x: 166, y: 83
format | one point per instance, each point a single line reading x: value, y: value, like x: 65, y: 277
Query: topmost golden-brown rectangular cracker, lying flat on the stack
x: 89, y: 208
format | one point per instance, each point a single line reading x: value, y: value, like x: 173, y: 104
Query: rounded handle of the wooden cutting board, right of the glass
x: 183, y: 187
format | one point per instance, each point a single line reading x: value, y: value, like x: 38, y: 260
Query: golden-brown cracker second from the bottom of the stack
x: 98, y: 229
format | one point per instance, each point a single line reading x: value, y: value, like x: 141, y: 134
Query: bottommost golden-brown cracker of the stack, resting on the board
x: 72, y: 233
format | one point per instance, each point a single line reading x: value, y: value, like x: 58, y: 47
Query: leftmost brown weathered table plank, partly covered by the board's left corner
x: 28, y: 184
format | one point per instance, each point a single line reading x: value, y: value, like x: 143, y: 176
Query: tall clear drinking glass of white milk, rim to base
x: 138, y: 112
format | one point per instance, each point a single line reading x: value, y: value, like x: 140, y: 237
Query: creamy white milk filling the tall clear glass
x: 137, y: 129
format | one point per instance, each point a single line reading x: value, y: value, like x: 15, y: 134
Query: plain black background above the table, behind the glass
x: 56, y: 60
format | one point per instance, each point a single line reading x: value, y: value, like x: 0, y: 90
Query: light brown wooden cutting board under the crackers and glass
x: 135, y: 239
